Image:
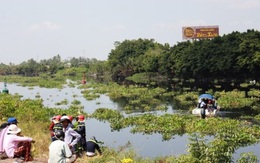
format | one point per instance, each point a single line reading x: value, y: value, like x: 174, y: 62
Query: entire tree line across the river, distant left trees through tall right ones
x: 234, y: 56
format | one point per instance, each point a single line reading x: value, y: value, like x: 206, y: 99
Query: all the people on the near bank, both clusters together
x: 68, y: 140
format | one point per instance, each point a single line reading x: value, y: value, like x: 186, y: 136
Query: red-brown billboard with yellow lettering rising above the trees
x: 199, y: 32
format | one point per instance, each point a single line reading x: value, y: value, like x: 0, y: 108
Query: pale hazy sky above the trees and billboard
x: 34, y: 29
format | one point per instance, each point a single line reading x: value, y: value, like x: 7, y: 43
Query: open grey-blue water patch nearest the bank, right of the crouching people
x: 145, y: 145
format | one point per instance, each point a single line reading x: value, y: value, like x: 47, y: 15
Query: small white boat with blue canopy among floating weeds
x: 212, y: 108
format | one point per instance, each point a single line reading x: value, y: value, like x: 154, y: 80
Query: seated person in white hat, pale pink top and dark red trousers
x: 17, y: 146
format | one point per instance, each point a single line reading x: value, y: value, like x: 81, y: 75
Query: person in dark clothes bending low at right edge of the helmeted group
x: 92, y: 146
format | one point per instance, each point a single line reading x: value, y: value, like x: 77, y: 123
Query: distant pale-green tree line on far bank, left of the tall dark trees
x: 52, y: 66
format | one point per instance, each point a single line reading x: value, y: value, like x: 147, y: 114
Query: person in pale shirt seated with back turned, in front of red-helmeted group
x: 59, y: 151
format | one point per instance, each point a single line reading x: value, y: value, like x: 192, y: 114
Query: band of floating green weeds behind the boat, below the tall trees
x: 138, y: 98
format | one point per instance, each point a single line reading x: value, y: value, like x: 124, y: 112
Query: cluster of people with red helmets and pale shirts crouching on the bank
x: 69, y: 140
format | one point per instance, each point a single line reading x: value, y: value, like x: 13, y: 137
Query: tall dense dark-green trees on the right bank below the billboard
x: 235, y: 55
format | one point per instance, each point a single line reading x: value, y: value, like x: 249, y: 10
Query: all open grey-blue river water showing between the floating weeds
x: 145, y: 145
